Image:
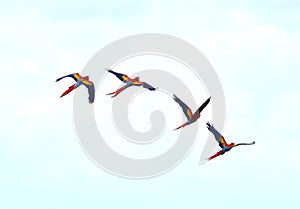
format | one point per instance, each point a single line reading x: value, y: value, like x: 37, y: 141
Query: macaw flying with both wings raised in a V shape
x: 188, y: 112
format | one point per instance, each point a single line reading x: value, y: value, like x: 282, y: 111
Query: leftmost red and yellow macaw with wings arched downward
x: 80, y: 80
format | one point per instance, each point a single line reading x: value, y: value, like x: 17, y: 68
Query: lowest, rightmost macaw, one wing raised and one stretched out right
x: 222, y: 143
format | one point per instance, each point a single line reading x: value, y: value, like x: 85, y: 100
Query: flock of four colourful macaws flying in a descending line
x: 191, y: 117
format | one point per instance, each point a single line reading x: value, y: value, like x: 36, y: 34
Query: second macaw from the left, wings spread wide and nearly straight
x: 129, y: 82
